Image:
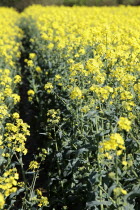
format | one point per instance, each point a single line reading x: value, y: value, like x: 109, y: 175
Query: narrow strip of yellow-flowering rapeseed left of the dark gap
x: 14, y: 187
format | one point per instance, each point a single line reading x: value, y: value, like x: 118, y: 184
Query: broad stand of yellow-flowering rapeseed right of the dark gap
x: 84, y: 80
